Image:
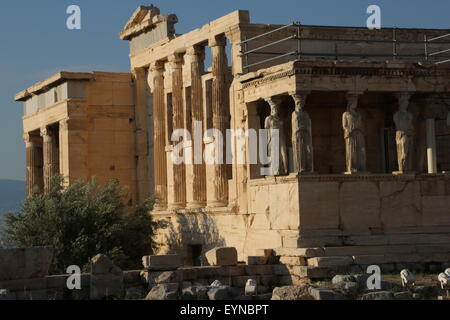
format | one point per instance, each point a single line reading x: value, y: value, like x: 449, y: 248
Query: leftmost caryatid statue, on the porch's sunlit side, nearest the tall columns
x: 277, y: 150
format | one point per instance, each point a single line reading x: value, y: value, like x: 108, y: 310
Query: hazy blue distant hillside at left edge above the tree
x: 12, y: 193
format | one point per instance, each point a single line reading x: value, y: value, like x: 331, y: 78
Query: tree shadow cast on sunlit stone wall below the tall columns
x: 190, y: 236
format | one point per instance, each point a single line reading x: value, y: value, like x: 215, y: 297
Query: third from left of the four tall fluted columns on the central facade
x: 198, y: 174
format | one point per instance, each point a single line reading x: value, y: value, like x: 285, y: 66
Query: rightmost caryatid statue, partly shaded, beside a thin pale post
x: 404, y: 133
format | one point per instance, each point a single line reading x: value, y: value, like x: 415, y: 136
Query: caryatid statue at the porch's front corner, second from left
x: 301, y: 136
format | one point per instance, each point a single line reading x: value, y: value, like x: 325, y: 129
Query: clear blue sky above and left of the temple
x: 35, y: 43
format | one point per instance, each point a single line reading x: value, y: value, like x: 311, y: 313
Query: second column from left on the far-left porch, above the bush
x: 51, y: 156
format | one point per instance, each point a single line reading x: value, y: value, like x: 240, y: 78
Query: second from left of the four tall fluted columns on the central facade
x: 179, y: 172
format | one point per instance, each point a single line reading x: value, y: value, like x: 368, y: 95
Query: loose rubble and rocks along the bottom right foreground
x: 341, y: 287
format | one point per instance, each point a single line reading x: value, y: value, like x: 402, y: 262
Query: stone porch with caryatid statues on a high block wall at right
x: 334, y: 201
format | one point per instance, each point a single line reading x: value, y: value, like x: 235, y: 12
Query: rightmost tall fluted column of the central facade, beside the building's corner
x: 220, y: 106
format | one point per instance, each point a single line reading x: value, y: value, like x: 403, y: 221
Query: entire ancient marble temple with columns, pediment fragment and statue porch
x: 363, y: 140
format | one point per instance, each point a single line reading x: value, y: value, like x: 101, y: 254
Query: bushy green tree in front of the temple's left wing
x: 80, y: 221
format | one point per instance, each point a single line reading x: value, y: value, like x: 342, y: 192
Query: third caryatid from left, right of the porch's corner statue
x: 355, y: 146
